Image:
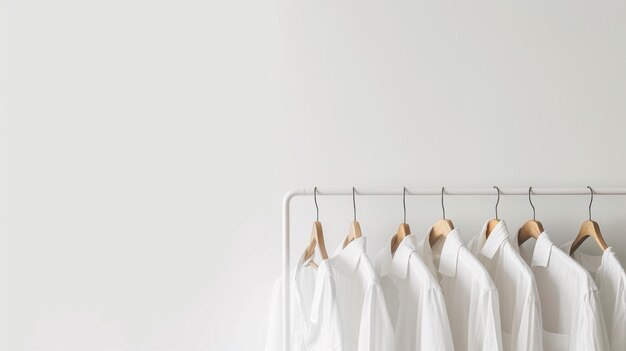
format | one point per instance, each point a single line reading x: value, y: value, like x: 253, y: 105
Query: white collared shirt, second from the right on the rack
x: 570, y: 304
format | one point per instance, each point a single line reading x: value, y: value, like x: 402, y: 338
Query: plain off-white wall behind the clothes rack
x: 146, y: 146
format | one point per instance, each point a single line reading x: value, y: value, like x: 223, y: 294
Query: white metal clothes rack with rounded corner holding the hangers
x: 421, y: 192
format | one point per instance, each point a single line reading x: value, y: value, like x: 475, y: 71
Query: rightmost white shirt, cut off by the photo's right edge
x: 609, y: 275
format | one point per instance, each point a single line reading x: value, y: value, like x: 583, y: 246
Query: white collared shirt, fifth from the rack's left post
x: 520, y: 307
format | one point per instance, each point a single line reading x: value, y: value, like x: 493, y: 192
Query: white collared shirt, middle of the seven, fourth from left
x: 470, y: 295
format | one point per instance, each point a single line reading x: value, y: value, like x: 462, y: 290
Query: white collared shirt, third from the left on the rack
x: 414, y: 299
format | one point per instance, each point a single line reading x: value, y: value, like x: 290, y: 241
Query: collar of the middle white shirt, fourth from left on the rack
x: 448, y: 260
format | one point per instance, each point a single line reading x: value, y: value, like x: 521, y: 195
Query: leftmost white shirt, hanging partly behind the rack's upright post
x: 314, y: 315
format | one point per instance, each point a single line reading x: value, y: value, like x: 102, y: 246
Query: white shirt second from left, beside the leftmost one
x: 365, y: 320
